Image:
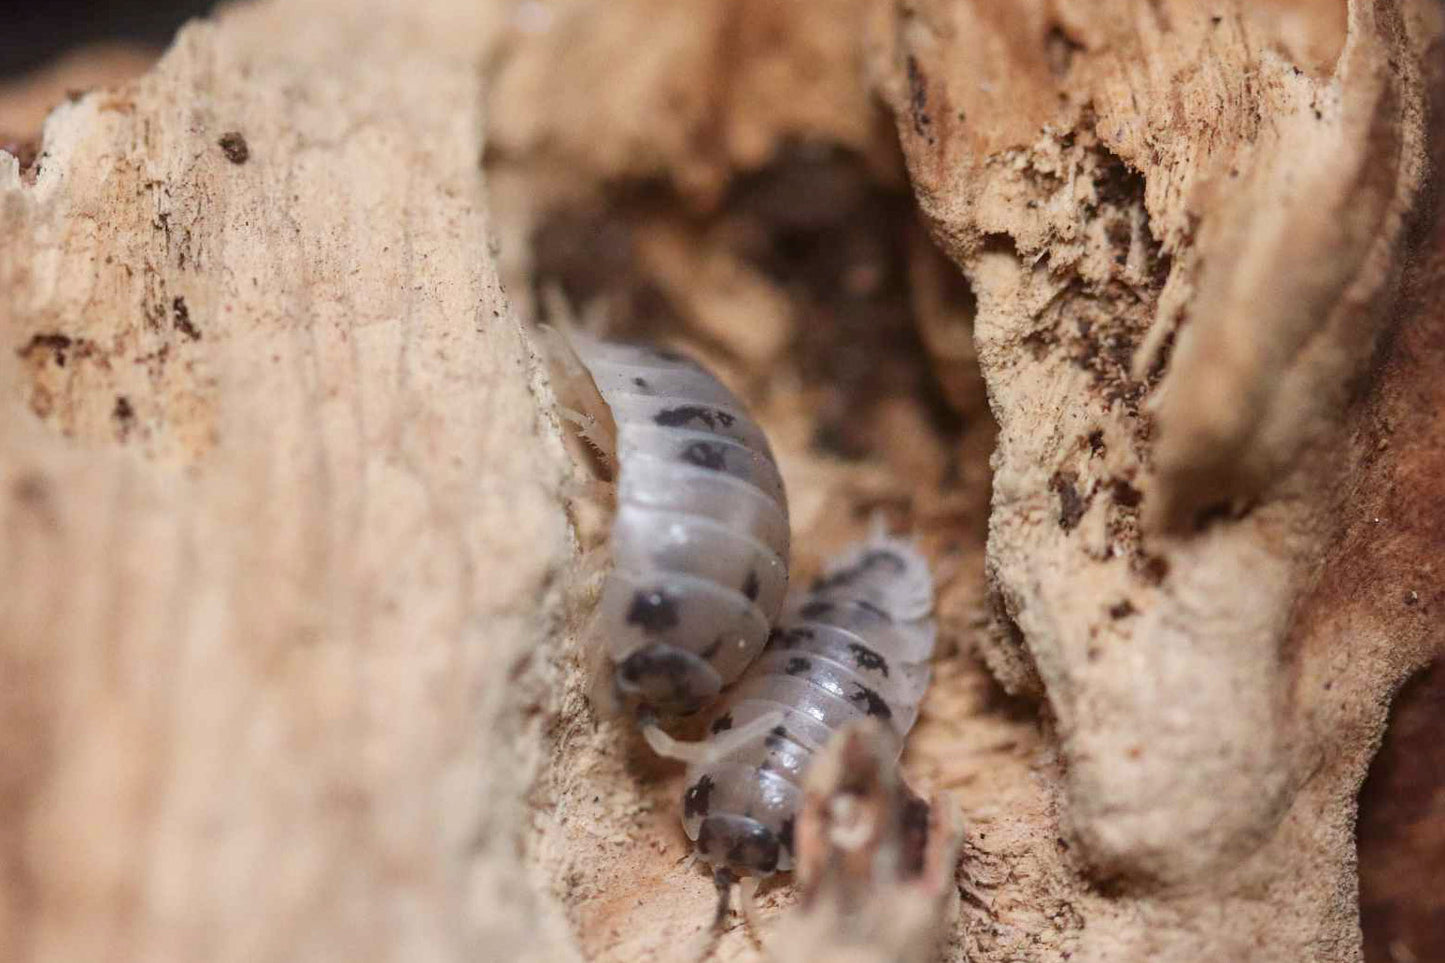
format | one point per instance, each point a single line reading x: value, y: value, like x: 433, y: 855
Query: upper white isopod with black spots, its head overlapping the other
x: 700, y: 539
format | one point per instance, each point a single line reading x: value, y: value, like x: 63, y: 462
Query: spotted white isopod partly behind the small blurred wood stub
x: 856, y: 646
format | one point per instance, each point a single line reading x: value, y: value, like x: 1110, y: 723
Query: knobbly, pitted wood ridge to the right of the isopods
x: 1187, y: 226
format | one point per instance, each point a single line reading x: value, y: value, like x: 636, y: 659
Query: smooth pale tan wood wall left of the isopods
x: 280, y: 510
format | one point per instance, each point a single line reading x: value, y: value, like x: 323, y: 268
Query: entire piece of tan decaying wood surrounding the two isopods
x: 1126, y: 309
